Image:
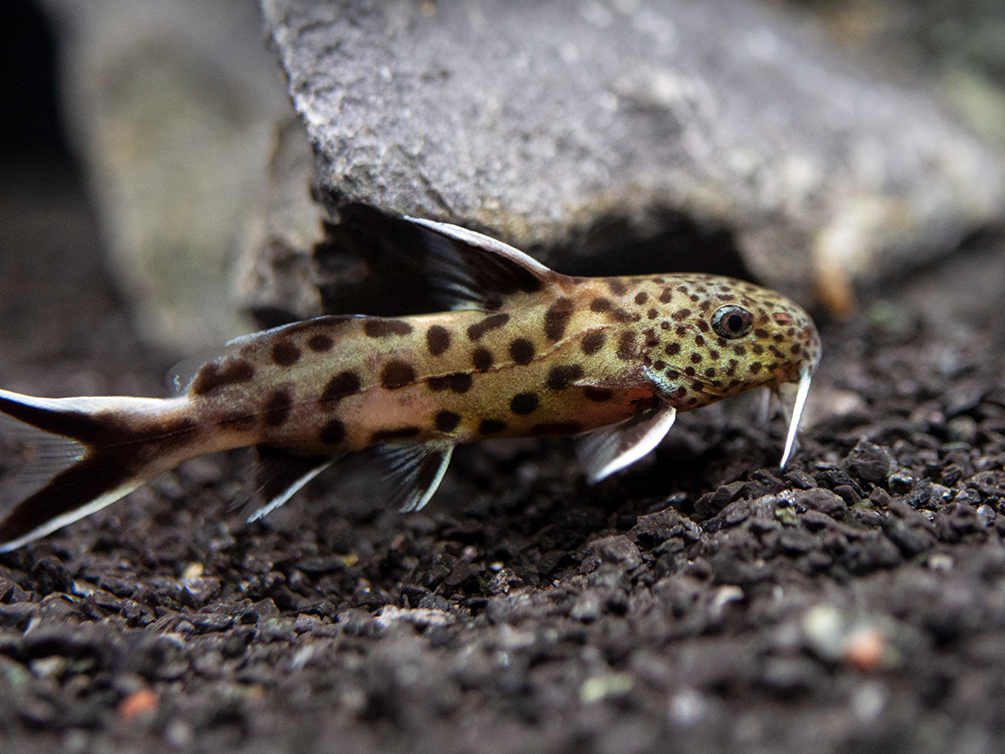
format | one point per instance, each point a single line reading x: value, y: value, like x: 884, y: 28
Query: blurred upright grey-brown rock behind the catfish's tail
x: 173, y: 107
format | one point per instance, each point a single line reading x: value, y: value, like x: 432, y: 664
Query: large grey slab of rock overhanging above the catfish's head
x: 583, y: 130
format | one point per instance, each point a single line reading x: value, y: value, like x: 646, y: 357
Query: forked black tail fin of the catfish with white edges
x: 81, y: 455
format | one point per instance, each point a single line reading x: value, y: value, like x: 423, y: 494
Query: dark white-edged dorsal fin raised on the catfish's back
x: 472, y: 271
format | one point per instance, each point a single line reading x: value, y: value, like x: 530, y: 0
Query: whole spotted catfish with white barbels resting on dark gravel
x: 525, y: 352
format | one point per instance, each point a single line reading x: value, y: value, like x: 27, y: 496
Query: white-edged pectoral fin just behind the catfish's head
x: 609, y: 450
